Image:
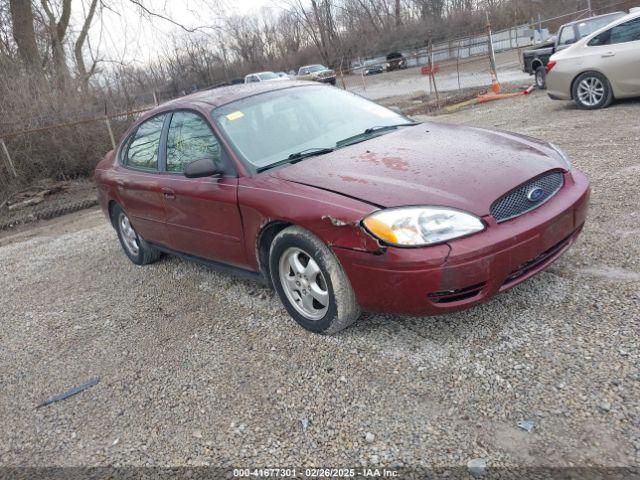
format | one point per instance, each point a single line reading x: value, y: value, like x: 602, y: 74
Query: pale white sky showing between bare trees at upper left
x: 123, y: 34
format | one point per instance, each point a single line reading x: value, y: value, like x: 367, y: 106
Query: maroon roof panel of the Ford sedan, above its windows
x: 208, y: 99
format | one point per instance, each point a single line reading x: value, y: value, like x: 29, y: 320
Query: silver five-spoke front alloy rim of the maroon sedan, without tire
x: 304, y: 283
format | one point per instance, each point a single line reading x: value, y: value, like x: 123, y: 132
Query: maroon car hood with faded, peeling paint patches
x: 428, y: 164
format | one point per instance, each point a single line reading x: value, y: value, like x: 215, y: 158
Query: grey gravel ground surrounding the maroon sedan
x: 197, y: 367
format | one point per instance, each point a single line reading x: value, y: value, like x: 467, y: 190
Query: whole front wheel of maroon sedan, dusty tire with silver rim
x: 290, y: 255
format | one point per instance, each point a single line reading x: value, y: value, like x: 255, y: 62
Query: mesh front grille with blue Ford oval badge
x: 517, y: 202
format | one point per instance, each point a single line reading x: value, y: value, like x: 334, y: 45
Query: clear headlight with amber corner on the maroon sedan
x: 420, y: 226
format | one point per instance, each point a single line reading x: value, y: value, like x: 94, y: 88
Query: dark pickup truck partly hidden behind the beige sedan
x: 535, y: 60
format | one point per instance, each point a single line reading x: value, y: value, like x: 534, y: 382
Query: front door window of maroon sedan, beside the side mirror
x: 189, y: 139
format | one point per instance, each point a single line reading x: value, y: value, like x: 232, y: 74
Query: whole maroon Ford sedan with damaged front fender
x: 339, y: 203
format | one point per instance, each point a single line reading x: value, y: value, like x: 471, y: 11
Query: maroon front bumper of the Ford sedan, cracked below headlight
x: 468, y: 271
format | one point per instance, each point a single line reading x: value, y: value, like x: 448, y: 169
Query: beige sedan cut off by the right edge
x: 599, y: 68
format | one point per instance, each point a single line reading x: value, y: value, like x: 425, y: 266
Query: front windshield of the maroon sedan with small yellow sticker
x: 269, y: 127
